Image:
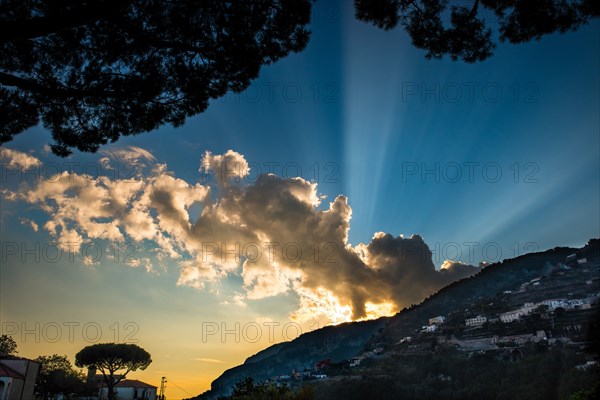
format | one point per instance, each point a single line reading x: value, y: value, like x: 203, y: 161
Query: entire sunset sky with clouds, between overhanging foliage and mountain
x: 349, y: 181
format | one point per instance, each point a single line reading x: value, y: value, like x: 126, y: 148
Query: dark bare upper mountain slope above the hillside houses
x: 346, y: 340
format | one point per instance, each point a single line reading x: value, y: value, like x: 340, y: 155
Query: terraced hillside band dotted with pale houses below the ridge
x: 553, y: 308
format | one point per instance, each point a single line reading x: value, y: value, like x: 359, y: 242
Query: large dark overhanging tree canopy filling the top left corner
x: 97, y: 69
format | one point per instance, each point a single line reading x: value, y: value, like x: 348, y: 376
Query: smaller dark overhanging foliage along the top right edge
x: 462, y: 29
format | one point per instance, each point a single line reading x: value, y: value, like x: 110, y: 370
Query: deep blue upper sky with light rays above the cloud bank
x: 360, y: 107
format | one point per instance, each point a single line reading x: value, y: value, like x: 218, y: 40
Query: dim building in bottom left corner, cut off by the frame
x: 17, y: 378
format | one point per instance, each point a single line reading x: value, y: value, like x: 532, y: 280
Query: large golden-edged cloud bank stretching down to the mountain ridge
x: 274, y: 233
